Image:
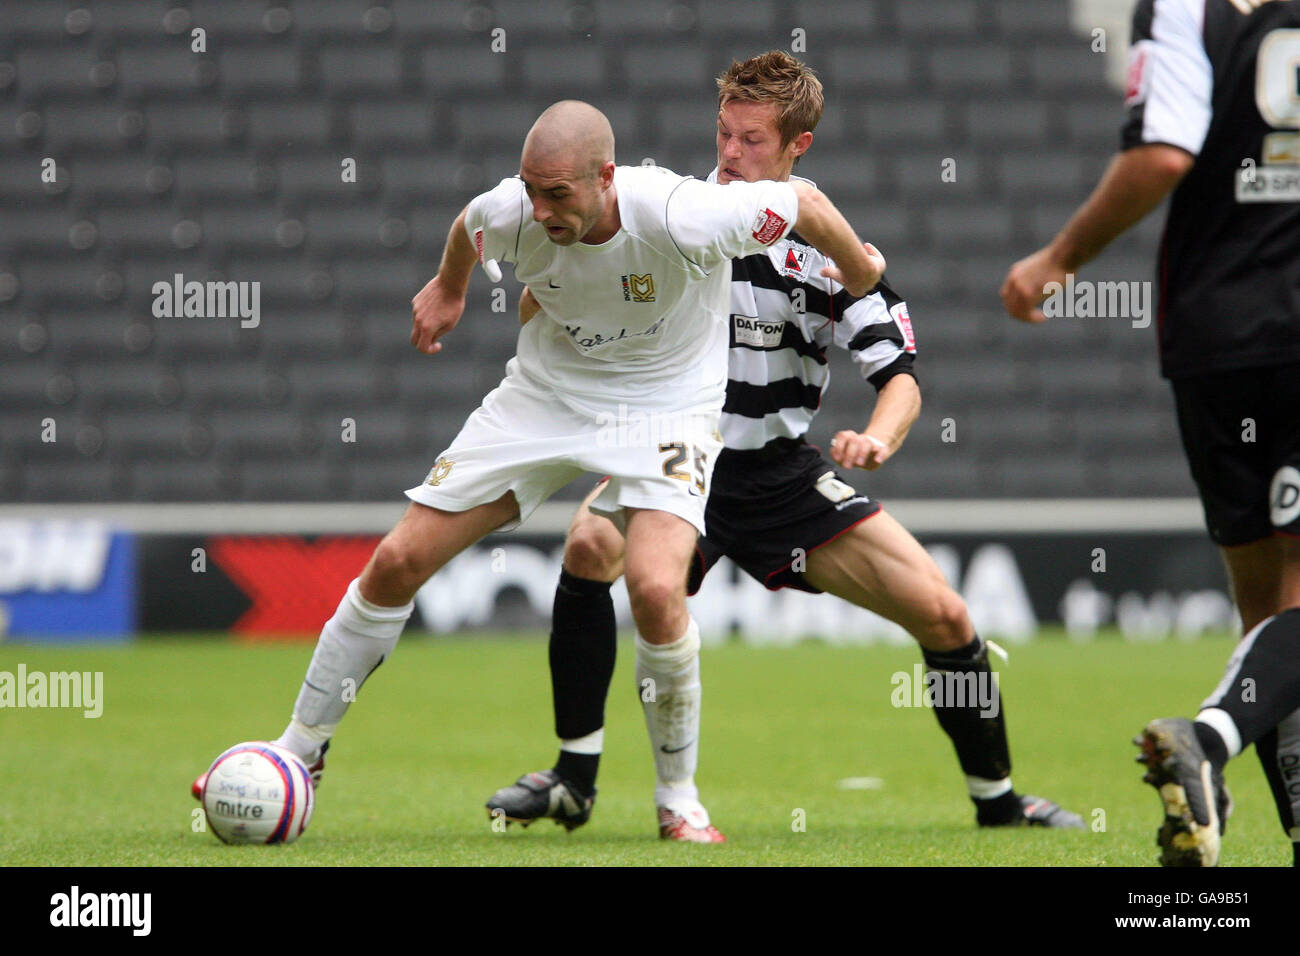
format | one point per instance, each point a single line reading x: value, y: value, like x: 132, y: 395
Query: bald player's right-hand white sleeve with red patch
x: 713, y: 224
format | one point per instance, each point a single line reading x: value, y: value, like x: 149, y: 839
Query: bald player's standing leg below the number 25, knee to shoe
x: 660, y: 547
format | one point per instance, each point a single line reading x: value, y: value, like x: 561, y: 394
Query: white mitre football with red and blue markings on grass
x: 258, y: 793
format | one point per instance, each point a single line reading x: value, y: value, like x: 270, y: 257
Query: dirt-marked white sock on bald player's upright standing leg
x: 673, y: 717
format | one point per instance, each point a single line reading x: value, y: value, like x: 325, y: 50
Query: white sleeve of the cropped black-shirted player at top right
x: 1171, y: 77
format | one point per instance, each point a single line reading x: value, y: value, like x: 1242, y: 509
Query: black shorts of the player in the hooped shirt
x: 773, y: 505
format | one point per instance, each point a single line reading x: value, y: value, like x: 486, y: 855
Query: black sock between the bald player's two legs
x: 584, y: 644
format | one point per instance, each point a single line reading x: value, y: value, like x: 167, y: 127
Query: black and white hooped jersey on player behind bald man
x: 785, y: 318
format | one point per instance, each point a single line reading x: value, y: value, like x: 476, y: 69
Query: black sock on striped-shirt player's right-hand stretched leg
x: 978, y: 733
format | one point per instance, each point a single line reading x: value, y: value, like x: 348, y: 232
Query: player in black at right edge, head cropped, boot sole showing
x: 1215, y: 119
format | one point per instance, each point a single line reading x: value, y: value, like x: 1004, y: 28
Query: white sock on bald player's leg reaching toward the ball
x: 357, y: 641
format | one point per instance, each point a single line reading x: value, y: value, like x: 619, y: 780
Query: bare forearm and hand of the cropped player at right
x: 1136, y: 183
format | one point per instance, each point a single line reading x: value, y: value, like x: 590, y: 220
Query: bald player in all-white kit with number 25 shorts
x: 632, y: 269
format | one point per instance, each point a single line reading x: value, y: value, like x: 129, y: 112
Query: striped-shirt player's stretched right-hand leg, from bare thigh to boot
x: 878, y: 565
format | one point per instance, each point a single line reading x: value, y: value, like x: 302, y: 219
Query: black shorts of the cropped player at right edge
x: 1242, y: 435
